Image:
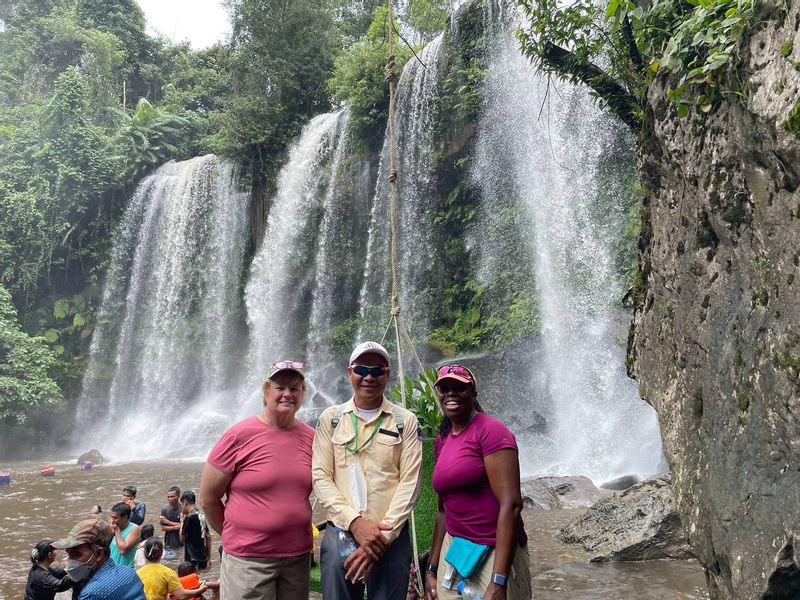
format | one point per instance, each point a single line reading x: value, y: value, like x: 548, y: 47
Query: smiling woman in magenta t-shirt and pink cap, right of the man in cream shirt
x: 477, y: 478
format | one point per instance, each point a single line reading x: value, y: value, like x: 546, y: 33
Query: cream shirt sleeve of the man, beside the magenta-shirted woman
x: 408, y: 487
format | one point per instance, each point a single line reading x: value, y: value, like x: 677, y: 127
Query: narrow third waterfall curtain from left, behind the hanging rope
x: 416, y: 93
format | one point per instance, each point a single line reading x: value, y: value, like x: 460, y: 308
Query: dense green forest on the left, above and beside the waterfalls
x: 89, y: 103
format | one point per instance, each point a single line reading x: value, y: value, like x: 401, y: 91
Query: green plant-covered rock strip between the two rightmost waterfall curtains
x: 474, y: 313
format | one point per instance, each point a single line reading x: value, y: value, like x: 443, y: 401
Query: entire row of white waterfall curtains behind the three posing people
x: 177, y: 347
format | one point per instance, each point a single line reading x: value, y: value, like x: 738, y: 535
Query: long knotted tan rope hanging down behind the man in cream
x: 391, y: 77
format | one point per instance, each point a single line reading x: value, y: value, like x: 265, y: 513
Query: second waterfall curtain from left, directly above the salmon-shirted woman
x: 302, y: 278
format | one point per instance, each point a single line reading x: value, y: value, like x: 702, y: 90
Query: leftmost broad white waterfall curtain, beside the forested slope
x: 169, y: 328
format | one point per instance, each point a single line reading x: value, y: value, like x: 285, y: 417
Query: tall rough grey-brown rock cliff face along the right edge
x: 716, y: 339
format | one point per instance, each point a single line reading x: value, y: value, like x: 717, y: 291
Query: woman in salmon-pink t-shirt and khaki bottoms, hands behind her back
x: 262, y: 467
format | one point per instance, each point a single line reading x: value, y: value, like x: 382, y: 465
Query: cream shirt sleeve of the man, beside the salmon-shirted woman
x: 339, y: 510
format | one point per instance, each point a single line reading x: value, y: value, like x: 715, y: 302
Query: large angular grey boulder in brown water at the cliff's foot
x: 640, y: 523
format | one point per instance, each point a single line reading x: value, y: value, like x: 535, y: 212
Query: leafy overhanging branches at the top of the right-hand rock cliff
x: 617, y: 47
